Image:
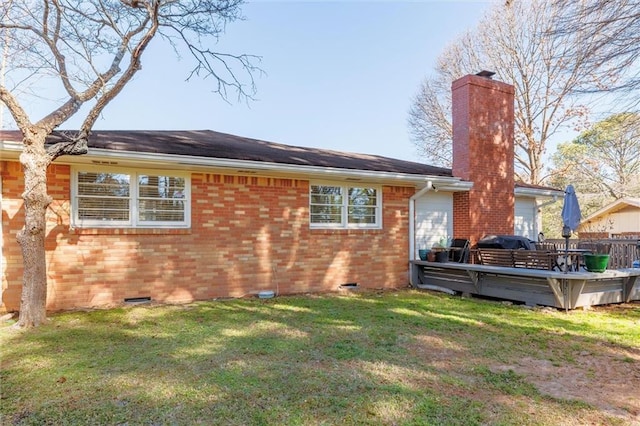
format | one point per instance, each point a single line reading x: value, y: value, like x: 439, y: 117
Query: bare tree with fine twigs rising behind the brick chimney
x: 512, y: 40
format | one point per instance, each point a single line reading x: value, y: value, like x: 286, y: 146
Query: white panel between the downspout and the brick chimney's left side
x: 434, y: 218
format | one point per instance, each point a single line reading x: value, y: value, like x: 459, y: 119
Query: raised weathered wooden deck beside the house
x: 532, y: 286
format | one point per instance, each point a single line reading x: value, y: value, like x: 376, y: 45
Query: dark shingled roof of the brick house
x: 210, y: 144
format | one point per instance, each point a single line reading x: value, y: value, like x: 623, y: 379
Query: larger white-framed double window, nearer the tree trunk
x: 126, y: 198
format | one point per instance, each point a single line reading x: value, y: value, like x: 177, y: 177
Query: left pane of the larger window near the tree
x: 103, y: 196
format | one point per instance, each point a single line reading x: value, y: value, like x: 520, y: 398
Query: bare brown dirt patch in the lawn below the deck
x: 603, y: 376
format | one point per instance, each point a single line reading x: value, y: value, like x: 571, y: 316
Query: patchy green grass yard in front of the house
x: 378, y: 358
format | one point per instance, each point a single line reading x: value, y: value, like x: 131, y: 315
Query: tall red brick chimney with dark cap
x: 483, y: 152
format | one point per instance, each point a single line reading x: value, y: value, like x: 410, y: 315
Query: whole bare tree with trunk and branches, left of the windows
x: 92, y: 49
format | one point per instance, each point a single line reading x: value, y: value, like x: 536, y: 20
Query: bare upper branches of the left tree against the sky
x: 71, y: 40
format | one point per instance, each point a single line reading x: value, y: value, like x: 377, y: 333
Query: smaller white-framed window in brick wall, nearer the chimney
x: 334, y: 205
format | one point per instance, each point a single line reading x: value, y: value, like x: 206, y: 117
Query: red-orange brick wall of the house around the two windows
x: 247, y: 234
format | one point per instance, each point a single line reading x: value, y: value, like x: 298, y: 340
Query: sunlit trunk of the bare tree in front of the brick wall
x: 34, y: 160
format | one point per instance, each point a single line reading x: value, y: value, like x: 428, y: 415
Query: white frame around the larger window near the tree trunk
x: 133, y: 196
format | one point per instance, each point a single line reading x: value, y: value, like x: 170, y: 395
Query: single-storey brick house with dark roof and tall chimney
x: 177, y: 216
